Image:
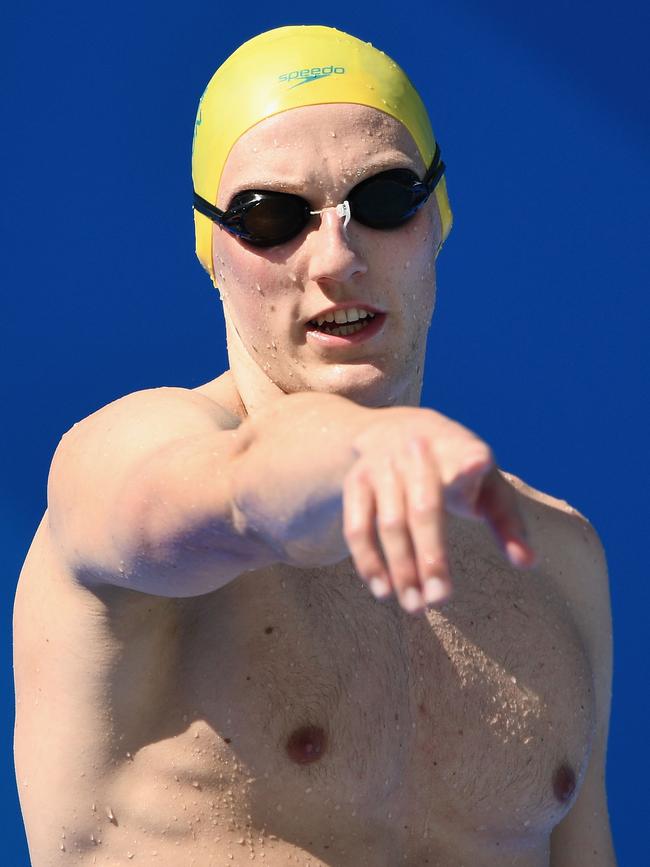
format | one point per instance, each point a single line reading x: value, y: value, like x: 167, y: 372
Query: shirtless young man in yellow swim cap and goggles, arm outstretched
x: 291, y: 615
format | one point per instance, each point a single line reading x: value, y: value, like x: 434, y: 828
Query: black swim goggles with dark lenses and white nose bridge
x: 265, y: 218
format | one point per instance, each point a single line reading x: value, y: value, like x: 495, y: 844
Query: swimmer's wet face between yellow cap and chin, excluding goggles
x: 271, y: 294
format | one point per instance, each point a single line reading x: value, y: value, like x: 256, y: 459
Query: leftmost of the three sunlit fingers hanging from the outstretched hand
x: 359, y: 530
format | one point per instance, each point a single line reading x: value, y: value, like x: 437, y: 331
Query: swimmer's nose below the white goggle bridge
x: 332, y: 256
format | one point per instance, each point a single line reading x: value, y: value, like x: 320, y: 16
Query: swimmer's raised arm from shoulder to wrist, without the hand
x: 164, y: 492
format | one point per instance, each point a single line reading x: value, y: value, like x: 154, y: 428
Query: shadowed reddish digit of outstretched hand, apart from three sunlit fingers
x: 497, y: 504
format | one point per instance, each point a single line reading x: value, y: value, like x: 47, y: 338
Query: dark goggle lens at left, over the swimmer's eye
x: 271, y: 219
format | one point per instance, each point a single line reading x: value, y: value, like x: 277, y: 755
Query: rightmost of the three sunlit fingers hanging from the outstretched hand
x: 427, y: 522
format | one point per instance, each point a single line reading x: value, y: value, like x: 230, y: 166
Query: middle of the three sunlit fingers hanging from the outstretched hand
x: 394, y: 535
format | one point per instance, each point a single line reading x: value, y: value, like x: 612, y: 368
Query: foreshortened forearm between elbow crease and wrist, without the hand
x: 287, y: 486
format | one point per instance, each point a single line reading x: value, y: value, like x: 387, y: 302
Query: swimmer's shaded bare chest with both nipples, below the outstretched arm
x: 476, y: 717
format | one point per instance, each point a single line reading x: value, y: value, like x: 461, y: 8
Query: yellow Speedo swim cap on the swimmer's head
x: 287, y: 68
